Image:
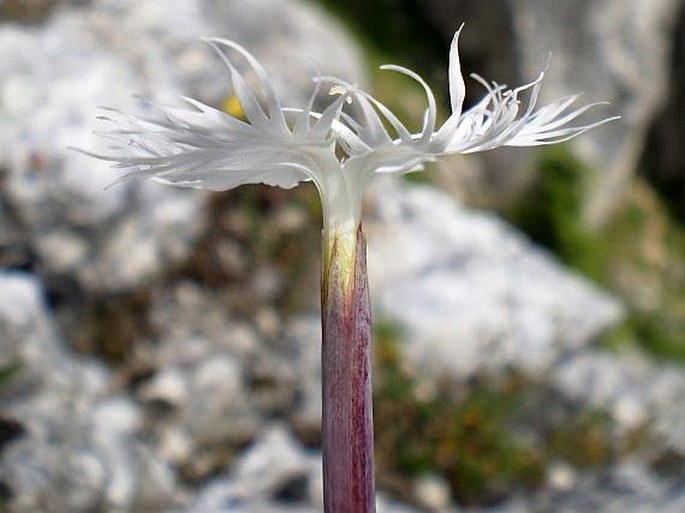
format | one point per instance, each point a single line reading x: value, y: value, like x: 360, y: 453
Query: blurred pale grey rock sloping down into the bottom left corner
x: 80, y: 450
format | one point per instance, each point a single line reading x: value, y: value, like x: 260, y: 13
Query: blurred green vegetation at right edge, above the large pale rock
x: 639, y: 254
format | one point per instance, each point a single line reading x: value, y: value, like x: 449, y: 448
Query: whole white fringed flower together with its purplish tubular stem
x: 339, y: 149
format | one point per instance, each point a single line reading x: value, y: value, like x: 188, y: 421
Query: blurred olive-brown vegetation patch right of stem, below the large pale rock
x: 473, y: 434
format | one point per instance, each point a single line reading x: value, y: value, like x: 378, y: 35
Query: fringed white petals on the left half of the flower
x: 204, y: 147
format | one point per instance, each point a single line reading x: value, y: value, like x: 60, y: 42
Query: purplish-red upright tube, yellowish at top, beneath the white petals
x: 347, y: 427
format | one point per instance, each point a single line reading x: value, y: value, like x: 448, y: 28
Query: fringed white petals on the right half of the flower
x: 498, y: 119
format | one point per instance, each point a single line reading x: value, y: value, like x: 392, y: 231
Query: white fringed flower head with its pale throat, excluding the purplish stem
x: 204, y: 147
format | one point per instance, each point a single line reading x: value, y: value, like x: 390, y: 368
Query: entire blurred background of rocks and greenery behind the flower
x: 159, y: 348
